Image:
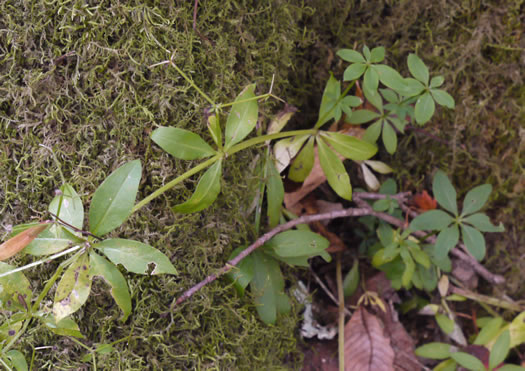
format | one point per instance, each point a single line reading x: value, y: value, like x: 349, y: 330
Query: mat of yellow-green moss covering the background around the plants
x: 74, y: 77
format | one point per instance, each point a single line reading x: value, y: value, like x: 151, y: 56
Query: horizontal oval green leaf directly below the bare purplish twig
x: 297, y: 243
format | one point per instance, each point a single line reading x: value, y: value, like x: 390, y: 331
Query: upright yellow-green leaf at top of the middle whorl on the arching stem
x: 242, y: 118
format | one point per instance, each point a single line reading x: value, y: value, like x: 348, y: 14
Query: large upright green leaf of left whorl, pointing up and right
x: 114, y: 198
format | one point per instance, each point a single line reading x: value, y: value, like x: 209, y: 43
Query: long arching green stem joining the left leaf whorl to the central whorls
x: 203, y: 165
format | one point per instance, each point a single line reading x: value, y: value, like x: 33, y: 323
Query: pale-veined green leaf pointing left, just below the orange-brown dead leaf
x: 54, y: 239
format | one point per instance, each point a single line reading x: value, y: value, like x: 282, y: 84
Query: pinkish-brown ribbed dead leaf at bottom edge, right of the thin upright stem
x: 366, y: 346
